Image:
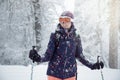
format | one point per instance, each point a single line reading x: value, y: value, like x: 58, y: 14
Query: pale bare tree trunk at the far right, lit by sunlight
x: 113, y: 35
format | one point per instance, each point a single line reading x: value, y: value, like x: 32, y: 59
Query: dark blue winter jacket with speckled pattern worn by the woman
x: 62, y: 53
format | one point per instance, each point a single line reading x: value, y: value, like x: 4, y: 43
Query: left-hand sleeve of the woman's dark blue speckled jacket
x: 50, y: 49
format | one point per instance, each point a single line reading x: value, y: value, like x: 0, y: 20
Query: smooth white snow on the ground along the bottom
x: 24, y: 73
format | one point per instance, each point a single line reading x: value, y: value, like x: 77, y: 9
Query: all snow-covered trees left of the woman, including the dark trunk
x: 24, y: 23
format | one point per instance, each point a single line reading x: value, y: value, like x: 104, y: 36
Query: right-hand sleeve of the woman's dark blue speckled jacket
x: 79, y: 55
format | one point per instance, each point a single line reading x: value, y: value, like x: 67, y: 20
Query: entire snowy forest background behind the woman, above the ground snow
x: 24, y: 23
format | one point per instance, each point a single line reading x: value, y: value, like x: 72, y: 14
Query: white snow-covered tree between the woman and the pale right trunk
x: 91, y: 21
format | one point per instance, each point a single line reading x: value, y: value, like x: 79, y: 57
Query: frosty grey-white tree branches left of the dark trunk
x: 16, y: 31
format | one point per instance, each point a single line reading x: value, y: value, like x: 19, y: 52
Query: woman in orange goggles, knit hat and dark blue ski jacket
x: 63, y: 49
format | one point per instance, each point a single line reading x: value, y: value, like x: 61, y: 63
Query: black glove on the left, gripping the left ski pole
x: 33, y: 55
